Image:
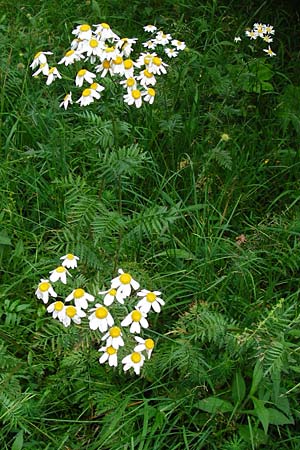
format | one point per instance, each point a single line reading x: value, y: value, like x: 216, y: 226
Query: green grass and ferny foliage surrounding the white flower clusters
x: 160, y: 192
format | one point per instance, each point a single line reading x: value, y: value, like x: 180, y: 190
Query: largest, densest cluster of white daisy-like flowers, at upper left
x: 100, y: 52
